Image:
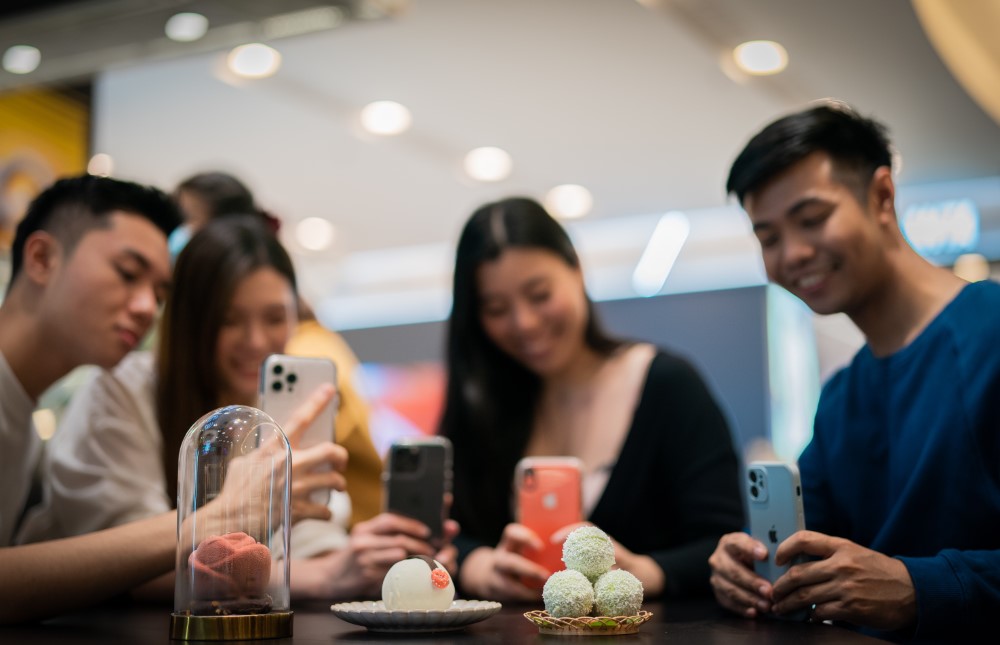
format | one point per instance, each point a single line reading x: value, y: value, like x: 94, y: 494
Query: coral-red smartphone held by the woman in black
x: 548, y: 498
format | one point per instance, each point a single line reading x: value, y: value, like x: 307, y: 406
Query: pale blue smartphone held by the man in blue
x: 774, y: 494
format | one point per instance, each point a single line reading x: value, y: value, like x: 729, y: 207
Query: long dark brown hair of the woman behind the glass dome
x: 206, y: 275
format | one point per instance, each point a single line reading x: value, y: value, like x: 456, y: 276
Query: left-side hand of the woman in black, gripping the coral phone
x: 502, y: 572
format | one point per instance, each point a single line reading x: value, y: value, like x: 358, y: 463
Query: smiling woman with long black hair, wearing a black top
x: 531, y: 372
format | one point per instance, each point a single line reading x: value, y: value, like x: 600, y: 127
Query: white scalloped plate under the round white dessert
x: 373, y: 615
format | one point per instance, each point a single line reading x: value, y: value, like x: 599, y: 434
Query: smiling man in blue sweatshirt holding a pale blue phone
x: 900, y: 482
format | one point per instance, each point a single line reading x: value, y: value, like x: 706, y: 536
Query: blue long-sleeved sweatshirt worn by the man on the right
x: 905, y: 460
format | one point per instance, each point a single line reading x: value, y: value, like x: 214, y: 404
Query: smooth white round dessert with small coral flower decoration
x: 417, y: 583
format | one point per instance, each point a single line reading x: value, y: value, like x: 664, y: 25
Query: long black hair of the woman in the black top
x: 491, y: 398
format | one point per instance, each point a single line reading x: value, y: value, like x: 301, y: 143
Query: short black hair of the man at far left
x: 71, y: 207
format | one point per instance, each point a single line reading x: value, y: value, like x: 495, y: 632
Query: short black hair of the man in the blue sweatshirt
x: 857, y: 145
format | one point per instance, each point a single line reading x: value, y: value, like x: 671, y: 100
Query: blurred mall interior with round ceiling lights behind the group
x: 373, y: 128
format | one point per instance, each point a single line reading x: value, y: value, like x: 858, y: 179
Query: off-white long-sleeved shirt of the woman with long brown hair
x: 103, y: 466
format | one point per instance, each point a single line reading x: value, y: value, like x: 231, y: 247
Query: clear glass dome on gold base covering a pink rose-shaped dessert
x: 234, y: 474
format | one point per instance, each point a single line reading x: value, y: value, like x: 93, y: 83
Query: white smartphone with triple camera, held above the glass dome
x: 285, y: 384
